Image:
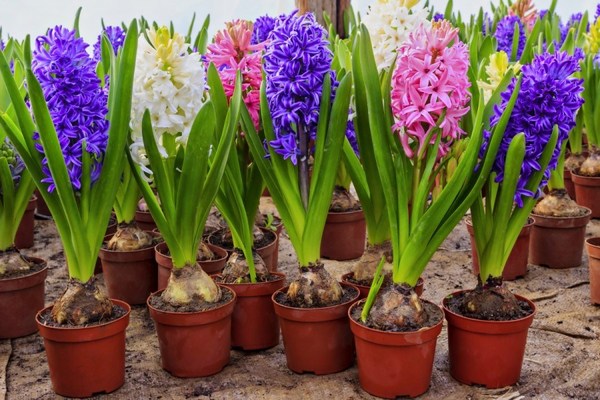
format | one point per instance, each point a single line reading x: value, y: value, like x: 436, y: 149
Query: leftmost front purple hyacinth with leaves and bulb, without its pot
x: 73, y: 150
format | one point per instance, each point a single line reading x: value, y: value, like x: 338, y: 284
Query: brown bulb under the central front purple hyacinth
x: 315, y: 288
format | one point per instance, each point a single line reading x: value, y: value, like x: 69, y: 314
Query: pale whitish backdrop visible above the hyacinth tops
x: 21, y: 17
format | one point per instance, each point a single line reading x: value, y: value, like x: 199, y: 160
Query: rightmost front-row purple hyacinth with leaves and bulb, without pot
x: 544, y: 113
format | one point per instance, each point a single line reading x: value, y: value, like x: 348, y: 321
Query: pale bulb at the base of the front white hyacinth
x: 189, y: 283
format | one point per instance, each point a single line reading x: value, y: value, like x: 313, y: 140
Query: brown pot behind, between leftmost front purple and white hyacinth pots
x: 130, y: 276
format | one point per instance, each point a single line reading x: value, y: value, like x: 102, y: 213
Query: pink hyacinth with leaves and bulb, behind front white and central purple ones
x: 238, y: 197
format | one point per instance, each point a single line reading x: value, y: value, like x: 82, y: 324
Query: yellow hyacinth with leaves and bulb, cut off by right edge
x: 591, y: 78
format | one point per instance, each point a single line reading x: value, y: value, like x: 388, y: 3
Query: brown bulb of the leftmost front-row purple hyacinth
x: 81, y: 304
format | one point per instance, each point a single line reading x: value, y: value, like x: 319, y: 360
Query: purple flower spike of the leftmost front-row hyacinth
x: 76, y: 101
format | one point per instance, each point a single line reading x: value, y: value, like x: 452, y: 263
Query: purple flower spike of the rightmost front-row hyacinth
x: 549, y: 96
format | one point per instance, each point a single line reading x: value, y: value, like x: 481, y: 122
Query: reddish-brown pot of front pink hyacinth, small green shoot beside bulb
x: 394, y: 364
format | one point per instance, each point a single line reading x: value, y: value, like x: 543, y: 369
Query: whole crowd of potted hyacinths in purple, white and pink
x: 423, y: 138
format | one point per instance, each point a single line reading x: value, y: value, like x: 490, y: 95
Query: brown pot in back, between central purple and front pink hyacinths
x: 344, y: 235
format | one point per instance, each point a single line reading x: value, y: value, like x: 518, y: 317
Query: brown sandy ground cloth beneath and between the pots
x: 561, y: 360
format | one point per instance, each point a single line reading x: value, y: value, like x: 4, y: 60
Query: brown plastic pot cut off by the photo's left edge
x: 20, y: 299
